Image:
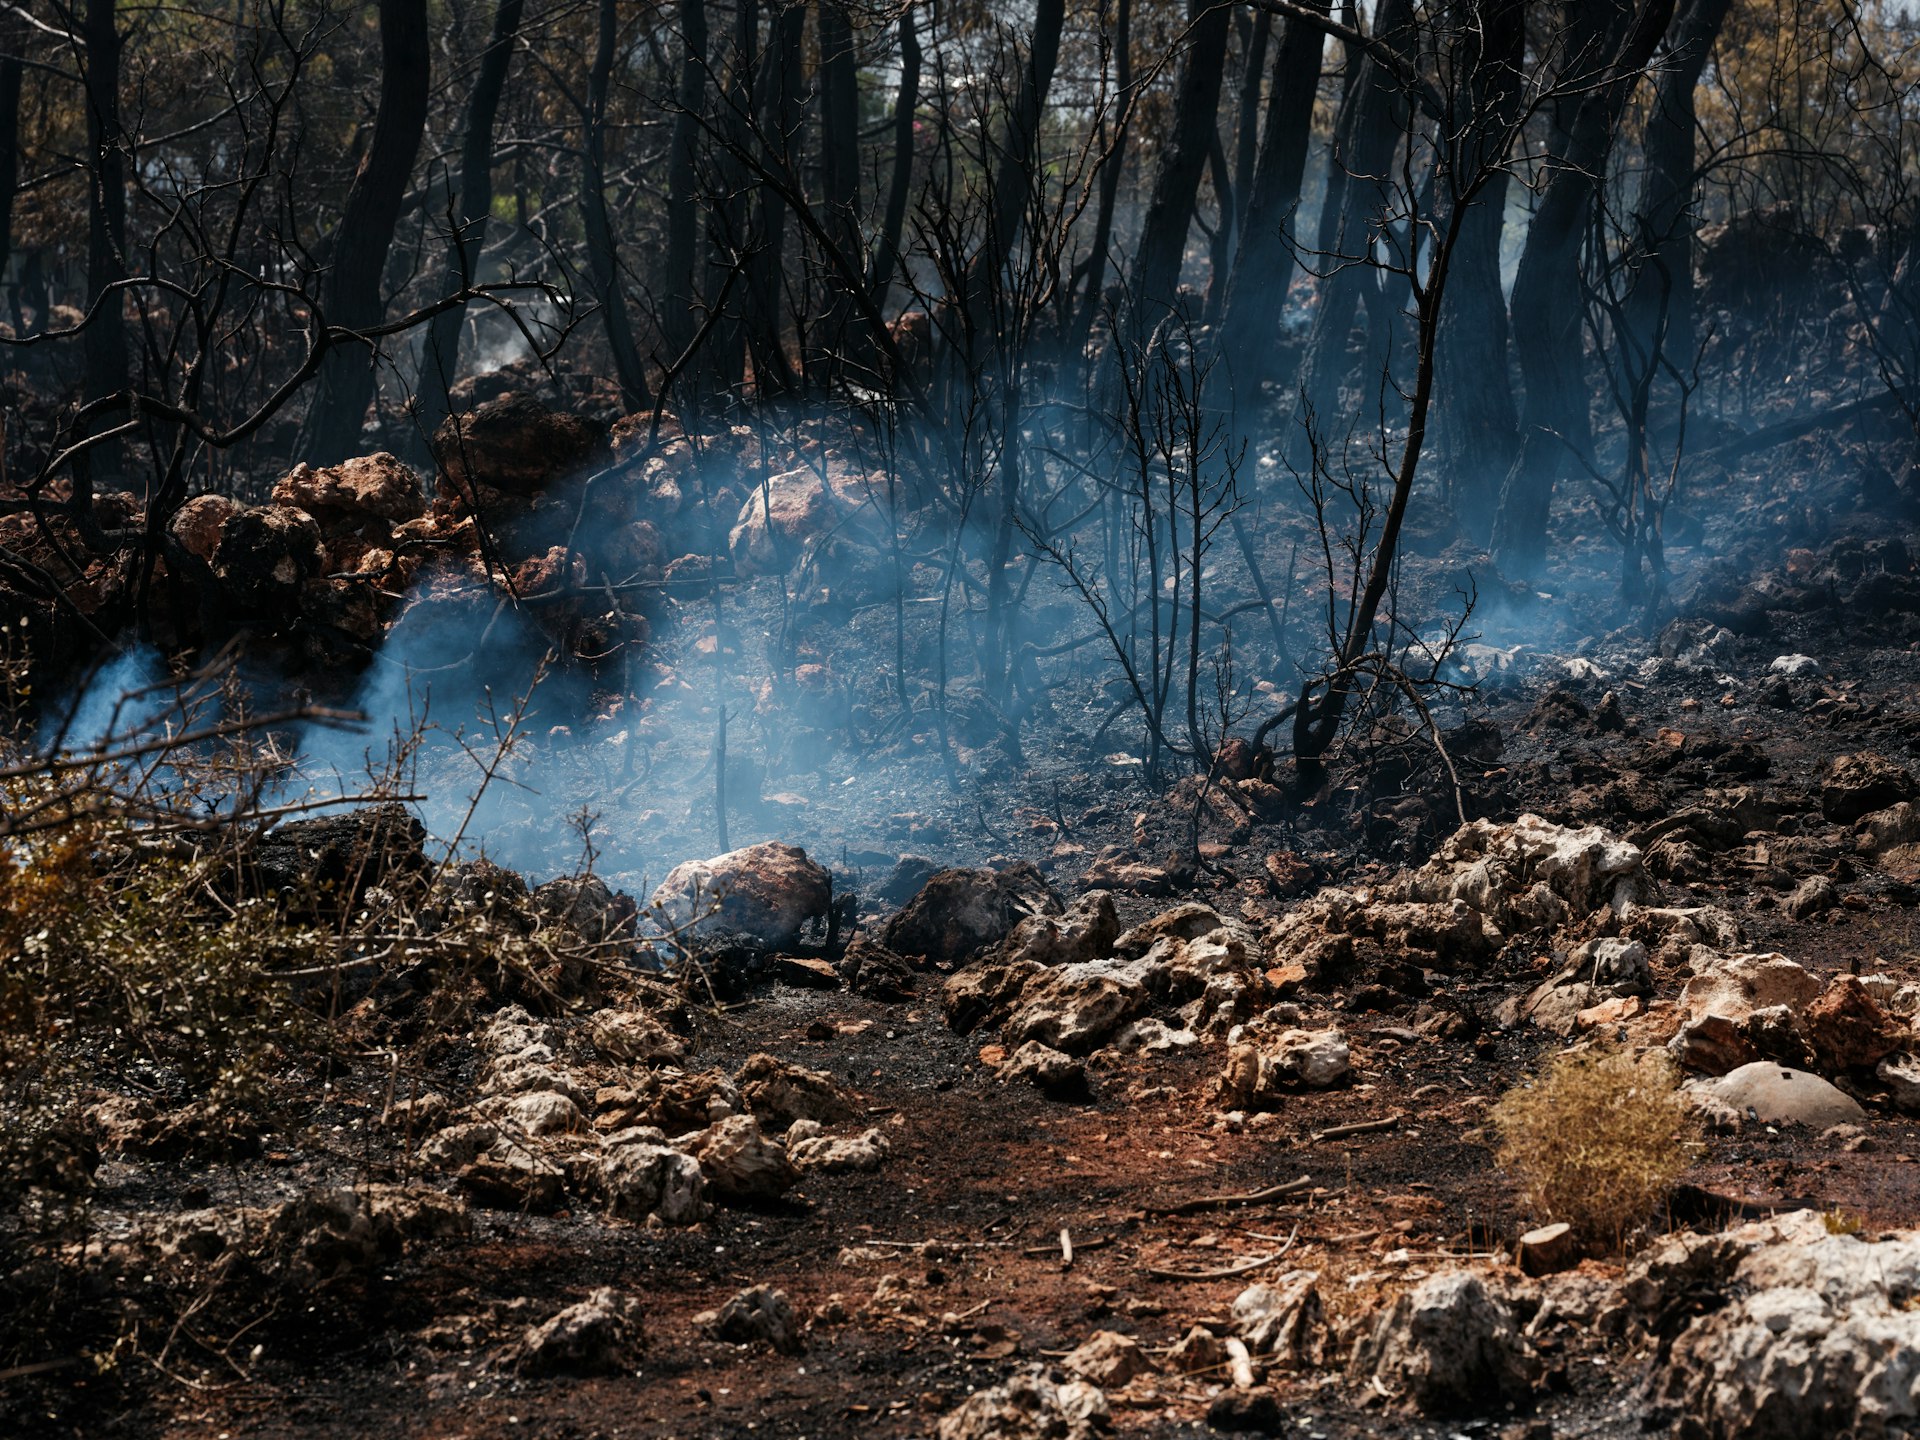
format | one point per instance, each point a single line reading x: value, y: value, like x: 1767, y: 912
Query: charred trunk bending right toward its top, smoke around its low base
x: 1608, y: 55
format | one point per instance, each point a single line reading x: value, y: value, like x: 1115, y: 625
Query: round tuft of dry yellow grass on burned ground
x: 1598, y: 1140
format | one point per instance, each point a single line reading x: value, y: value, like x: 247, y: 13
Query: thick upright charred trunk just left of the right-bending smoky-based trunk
x: 1476, y: 416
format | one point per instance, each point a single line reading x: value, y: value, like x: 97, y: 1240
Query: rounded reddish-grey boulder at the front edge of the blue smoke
x: 757, y: 900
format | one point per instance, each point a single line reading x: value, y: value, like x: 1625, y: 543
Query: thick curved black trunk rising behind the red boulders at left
x: 352, y: 295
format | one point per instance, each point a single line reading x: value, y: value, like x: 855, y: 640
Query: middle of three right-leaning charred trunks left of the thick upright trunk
x: 1249, y: 322
